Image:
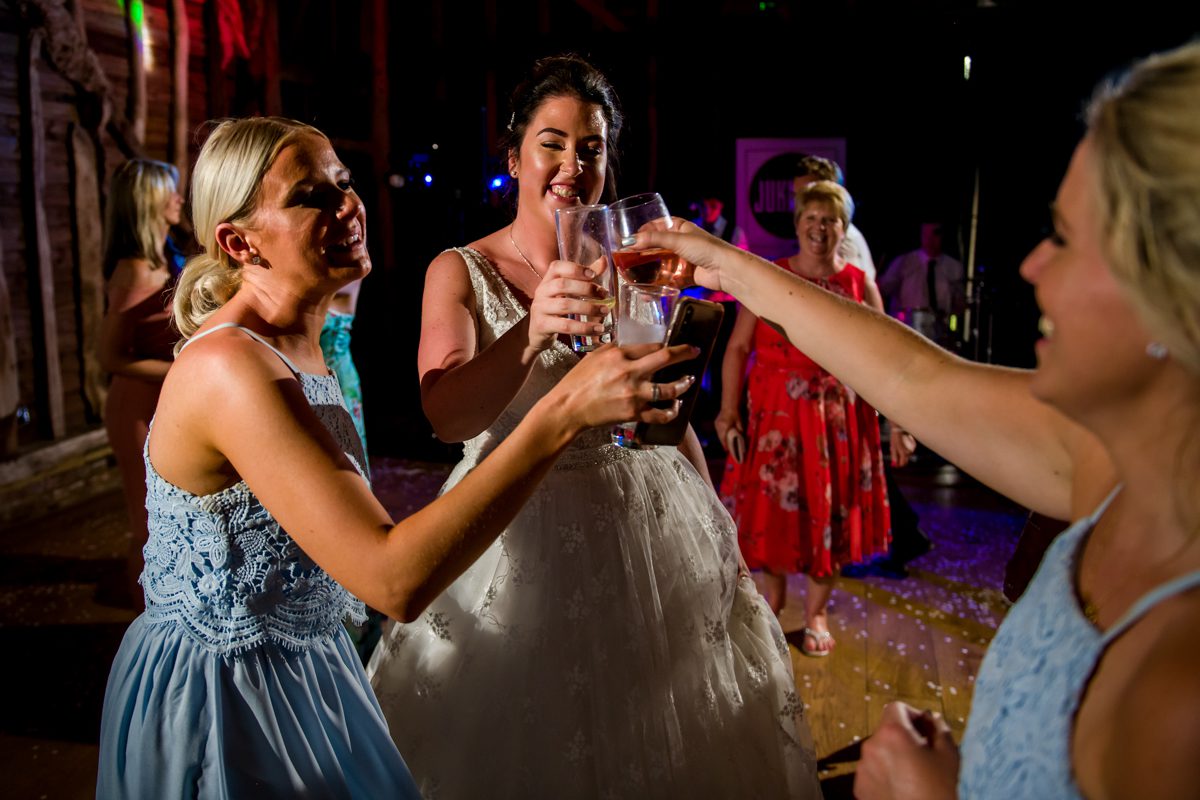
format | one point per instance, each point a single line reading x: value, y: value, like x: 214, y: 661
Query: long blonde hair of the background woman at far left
x: 135, y: 226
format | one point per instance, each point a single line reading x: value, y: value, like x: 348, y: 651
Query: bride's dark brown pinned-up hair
x: 566, y: 76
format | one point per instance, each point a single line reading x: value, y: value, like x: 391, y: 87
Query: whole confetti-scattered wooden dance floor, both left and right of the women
x: 919, y: 640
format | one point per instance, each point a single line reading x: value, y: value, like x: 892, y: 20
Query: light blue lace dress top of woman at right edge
x: 1018, y: 739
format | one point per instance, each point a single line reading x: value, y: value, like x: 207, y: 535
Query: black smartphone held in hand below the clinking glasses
x: 693, y: 322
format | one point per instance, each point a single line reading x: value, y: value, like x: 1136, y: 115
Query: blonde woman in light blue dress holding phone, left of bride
x: 239, y: 681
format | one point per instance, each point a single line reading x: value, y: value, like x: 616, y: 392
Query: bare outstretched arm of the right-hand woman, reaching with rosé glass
x: 982, y: 418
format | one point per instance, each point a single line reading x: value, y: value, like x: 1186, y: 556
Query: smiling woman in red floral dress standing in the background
x: 809, y: 494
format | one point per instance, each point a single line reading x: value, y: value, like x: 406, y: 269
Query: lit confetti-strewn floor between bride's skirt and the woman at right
x: 917, y: 640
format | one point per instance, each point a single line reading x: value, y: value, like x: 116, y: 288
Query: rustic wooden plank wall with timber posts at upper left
x: 65, y: 404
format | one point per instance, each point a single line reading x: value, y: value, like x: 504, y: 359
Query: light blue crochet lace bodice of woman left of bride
x: 221, y: 569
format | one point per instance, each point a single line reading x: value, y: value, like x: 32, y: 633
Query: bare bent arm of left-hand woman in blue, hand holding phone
x: 205, y: 441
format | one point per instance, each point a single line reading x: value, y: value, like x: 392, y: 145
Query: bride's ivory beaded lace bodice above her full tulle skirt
x: 497, y: 310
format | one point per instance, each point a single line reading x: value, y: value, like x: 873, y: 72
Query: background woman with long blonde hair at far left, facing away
x: 136, y: 336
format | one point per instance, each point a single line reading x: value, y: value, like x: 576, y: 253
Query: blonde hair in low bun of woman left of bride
x: 225, y: 189
